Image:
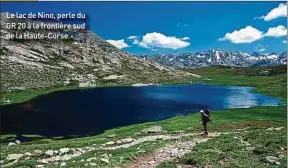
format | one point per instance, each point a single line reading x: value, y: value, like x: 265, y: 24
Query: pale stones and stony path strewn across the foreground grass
x: 177, y: 145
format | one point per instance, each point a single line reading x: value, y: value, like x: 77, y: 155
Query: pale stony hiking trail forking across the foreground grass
x: 175, y: 150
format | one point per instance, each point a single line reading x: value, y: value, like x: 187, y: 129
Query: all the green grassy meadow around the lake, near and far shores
x: 223, y: 151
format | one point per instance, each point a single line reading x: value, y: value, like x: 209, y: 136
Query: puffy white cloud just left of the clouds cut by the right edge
x: 245, y: 35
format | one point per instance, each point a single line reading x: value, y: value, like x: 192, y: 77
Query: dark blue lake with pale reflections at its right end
x: 77, y: 112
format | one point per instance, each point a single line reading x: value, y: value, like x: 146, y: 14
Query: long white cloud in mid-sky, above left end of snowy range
x: 158, y: 40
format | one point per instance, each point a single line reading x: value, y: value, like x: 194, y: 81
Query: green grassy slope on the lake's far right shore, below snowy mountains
x: 274, y: 83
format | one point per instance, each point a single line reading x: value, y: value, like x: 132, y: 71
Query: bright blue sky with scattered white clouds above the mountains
x: 177, y: 27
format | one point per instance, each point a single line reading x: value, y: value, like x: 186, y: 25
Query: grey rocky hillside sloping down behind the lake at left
x: 85, y: 60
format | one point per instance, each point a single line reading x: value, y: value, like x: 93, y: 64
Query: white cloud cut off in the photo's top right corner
x: 280, y: 11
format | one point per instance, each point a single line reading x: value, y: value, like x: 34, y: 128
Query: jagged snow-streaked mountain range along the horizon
x: 217, y: 57
